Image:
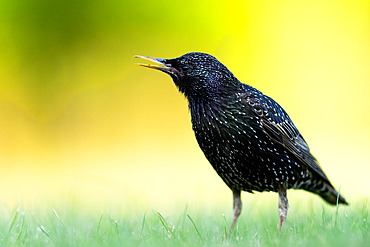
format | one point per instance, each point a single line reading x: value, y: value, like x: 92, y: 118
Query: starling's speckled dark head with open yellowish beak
x: 195, y: 74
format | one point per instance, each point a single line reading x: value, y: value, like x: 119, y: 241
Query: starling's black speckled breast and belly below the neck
x: 240, y: 151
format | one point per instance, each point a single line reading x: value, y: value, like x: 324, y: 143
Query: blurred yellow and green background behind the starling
x: 80, y: 123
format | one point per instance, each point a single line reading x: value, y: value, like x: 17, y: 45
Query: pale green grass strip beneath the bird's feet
x: 320, y: 226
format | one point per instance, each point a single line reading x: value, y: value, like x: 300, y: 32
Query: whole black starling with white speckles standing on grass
x: 247, y: 137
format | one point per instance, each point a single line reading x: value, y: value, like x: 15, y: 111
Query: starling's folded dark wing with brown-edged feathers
x: 278, y: 125
